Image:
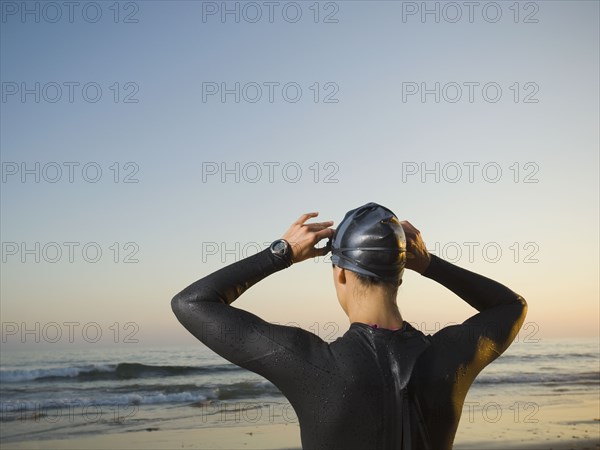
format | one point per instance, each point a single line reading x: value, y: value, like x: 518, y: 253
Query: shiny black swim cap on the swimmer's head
x: 370, y: 241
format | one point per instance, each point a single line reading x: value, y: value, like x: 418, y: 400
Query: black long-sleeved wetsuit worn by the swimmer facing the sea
x: 372, y: 387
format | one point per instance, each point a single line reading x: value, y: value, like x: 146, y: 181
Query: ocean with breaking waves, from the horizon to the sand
x: 58, y: 393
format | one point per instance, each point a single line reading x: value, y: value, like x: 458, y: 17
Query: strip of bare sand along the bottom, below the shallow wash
x: 553, y: 427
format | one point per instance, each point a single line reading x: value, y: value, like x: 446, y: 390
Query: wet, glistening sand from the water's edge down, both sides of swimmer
x: 560, y: 426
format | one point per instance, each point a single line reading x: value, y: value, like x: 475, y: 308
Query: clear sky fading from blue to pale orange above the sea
x: 145, y: 144
